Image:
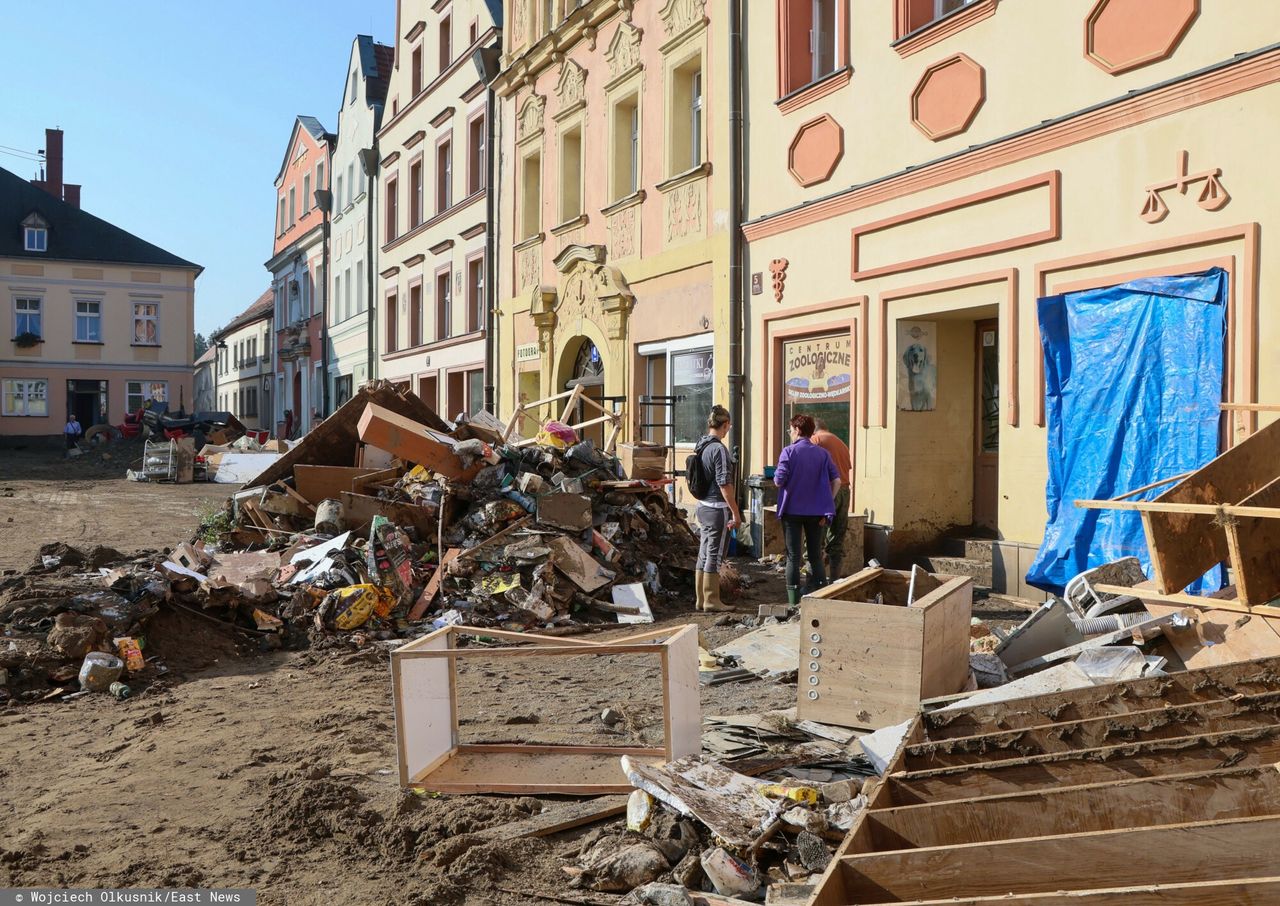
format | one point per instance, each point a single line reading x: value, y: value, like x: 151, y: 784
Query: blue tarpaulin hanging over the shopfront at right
x: 1133, y: 379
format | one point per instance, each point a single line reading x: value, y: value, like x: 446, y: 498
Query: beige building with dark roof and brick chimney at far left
x: 102, y: 322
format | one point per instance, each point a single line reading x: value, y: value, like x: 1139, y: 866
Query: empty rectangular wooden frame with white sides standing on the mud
x: 424, y: 692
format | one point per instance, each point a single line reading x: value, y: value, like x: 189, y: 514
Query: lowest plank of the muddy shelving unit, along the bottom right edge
x: 1232, y: 893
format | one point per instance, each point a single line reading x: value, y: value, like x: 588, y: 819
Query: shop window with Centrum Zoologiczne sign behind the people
x: 817, y: 381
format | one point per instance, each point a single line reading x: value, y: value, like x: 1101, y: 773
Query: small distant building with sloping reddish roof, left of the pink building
x: 245, y: 377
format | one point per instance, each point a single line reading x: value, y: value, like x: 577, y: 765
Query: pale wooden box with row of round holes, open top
x: 867, y: 660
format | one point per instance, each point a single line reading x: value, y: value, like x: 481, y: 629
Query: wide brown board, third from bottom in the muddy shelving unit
x: 1178, y: 799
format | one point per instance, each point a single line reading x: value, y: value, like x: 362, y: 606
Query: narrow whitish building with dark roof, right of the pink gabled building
x: 353, y: 245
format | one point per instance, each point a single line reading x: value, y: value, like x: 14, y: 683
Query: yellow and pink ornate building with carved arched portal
x: 614, y: 221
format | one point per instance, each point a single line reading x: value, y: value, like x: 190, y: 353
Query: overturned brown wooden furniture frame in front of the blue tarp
x: 1228, y: 510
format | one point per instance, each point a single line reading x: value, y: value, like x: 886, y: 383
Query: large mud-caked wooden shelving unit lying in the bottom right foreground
x: 1149, y: 791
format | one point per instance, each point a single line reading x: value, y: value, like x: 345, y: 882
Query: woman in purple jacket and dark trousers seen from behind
x: 808, y: 482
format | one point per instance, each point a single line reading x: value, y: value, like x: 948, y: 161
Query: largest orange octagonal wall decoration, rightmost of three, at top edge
x: 1123, y: 35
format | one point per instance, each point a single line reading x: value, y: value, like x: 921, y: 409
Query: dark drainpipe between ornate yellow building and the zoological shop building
x: 735, y: 249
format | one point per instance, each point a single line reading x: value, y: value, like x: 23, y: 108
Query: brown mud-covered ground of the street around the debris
x: 277, y: 771
